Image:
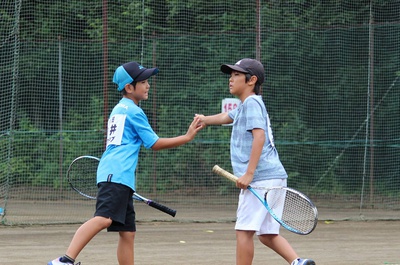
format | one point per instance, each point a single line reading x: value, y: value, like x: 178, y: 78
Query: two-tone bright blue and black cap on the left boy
x: 132, y: 72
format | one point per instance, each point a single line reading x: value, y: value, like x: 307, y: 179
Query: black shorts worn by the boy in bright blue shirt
x: 115, y: 201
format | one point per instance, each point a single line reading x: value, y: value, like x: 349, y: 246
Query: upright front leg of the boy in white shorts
x: 244, y: 247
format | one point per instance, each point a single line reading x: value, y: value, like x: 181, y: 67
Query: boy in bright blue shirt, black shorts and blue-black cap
x: 128, y: 129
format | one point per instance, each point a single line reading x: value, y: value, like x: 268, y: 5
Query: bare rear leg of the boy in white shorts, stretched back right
x: 280, y: 245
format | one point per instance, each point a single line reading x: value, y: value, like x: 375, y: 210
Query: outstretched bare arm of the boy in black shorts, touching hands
x: 166, y: 143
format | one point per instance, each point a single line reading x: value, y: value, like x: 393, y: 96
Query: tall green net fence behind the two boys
x: 332, y: 93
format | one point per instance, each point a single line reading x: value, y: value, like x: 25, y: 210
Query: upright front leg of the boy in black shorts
x: 125, y: 251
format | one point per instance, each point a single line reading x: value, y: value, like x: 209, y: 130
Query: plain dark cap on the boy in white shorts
x: 247, y: 66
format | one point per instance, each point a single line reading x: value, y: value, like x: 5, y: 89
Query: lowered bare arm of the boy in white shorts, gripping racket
x: 256, y: 150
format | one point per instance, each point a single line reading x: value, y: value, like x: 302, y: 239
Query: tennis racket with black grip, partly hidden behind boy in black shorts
x: 81, y: 177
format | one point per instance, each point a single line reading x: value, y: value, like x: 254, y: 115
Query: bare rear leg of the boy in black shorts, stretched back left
x: 85, y: 233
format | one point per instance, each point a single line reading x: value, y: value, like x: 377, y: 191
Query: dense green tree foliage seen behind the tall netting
x: 316, y: 55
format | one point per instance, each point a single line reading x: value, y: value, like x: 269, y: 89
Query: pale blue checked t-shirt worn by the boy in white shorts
x: 249, y: 115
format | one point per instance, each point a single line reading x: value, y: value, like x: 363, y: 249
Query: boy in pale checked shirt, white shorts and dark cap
x: 255, y: 161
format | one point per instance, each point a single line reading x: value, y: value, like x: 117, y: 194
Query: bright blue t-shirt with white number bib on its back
x: 128, y: 128
